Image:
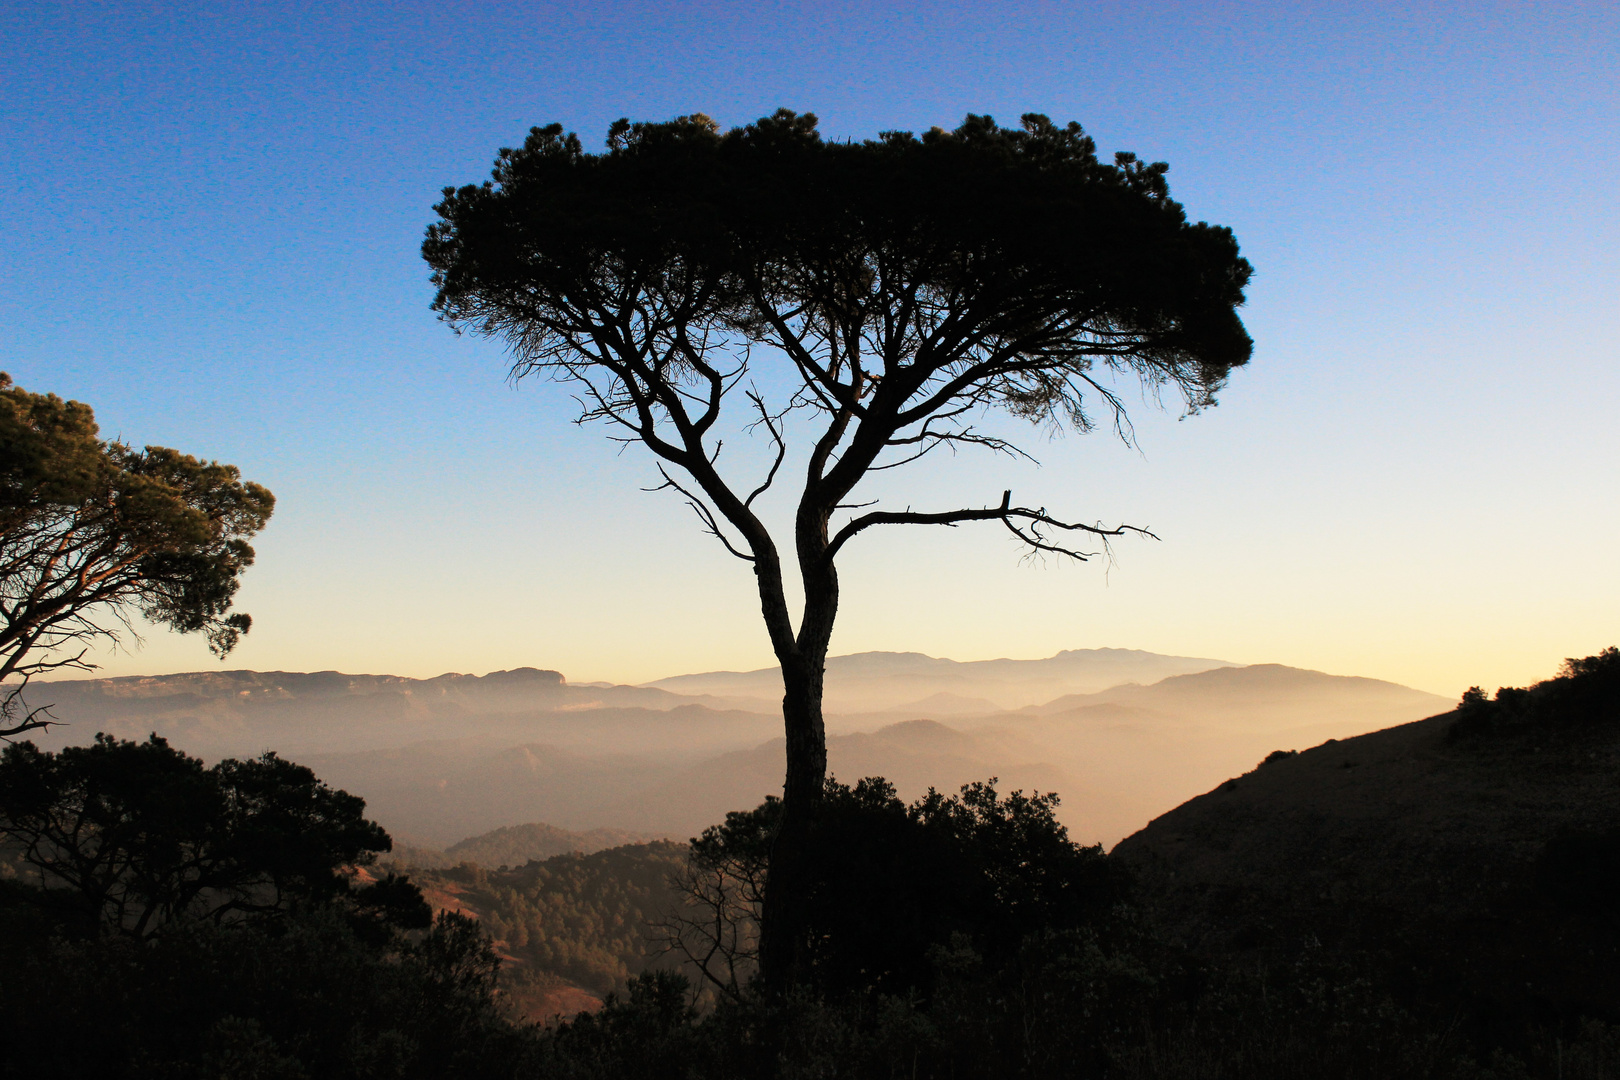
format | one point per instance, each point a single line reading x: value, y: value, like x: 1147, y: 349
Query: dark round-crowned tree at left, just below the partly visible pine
x: 134, y: 838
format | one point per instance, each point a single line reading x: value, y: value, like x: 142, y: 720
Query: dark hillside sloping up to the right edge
x: 1480, y: 869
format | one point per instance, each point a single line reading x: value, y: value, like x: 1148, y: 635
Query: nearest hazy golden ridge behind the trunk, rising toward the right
x: 1117, y: 759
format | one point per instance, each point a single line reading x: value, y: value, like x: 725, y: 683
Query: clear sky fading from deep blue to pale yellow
x: 213, y: 226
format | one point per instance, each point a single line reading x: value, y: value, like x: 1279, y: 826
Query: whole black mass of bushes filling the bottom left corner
x: 169, y: 921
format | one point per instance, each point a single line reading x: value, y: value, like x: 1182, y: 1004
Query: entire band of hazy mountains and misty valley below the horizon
x: 1120, y: 734
